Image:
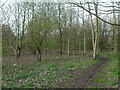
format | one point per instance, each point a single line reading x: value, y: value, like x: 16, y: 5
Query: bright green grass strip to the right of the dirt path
x: 108, y: 76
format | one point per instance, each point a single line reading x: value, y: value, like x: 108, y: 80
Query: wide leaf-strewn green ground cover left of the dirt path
x: 43, y: 75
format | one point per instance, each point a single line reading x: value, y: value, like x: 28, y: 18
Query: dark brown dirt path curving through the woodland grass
x: 85, y: 78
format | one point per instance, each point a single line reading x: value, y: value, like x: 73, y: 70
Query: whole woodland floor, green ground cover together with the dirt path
x: 65, y: 72
